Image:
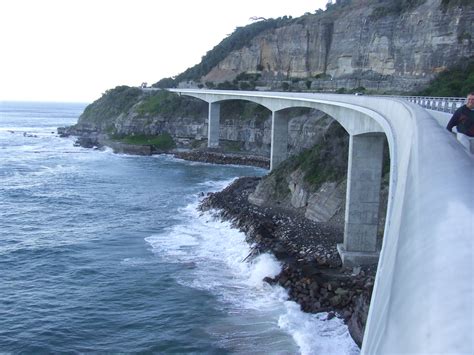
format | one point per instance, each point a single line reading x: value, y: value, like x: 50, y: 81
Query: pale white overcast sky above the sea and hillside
x: 74, y: 50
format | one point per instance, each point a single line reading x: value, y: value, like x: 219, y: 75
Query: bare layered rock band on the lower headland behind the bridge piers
x: 252, y: 135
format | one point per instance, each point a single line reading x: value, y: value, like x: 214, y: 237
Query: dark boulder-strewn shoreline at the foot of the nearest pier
x: 312, y: 271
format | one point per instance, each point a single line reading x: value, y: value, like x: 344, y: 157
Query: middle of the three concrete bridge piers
x: 279, y: 144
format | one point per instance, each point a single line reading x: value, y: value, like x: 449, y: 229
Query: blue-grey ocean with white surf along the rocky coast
x: 107, y: 253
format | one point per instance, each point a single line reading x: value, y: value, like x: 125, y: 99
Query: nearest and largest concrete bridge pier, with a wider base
x: 362, y: 200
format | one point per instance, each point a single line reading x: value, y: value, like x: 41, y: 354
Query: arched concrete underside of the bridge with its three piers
x: 364, y: 166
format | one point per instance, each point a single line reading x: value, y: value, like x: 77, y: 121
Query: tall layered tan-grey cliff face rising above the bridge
x: 359, y: 45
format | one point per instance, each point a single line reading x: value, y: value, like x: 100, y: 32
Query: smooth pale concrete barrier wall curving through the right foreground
x: 423, y: 296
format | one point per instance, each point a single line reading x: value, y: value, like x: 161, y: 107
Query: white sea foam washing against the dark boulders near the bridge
x: 217, y: 251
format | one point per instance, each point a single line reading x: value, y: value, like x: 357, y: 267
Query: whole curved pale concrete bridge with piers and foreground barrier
x: 423, y: 299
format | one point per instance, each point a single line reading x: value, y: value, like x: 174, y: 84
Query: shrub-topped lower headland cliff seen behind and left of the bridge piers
x: 246, y: 132
